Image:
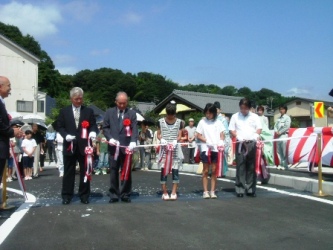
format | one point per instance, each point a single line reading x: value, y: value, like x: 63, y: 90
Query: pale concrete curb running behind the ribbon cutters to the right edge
x: 298, y: 183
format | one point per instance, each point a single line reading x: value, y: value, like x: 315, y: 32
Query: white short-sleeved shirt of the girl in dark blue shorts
x: 211, y: 130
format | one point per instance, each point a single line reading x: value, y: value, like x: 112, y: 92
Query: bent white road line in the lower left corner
x: 10, y: 223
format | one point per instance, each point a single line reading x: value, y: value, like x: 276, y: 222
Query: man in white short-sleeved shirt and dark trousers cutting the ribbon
x: 246, y: 127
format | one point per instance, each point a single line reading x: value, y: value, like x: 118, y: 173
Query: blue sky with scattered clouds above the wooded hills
x: 282, y: 45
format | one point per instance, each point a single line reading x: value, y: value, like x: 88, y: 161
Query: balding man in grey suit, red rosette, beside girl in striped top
x: 117, y: 134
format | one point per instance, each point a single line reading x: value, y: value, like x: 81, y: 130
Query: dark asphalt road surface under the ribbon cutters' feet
x: 272, y: 220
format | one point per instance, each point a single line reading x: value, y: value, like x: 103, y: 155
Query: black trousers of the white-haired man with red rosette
x: 68, y: 181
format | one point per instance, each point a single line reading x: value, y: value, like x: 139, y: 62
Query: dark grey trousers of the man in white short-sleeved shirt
x: 246, y: 178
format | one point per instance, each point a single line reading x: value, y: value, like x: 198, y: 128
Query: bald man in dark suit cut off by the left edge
x: 6, y: 131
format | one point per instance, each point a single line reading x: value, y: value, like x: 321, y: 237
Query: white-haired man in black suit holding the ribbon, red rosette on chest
x: 70, y: 127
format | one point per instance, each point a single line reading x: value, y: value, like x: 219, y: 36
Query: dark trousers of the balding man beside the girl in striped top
x: 124, y: 191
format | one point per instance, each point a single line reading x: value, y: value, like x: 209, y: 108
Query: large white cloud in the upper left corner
x: 38, y: 21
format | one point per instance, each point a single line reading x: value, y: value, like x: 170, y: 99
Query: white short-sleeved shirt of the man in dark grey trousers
x: 245, y: 126
